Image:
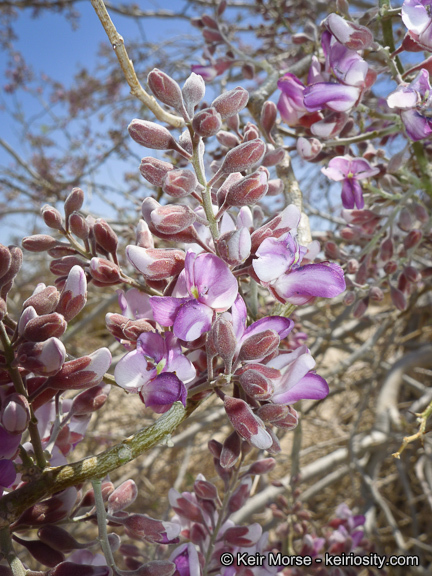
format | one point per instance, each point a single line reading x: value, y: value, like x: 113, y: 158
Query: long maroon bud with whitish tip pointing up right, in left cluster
x: 83, y: 372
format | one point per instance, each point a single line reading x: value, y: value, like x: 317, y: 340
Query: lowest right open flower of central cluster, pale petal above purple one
x: 297, y: 381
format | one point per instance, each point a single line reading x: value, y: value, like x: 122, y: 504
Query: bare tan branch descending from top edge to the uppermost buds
x: 126, y: 64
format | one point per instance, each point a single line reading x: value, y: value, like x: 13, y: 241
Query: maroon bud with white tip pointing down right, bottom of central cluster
x: 247, y: 425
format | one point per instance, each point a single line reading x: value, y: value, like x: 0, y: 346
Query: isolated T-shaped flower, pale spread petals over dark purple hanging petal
x: 350, y: 170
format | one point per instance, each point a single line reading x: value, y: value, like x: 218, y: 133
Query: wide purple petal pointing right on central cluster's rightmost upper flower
x: 324, y: 280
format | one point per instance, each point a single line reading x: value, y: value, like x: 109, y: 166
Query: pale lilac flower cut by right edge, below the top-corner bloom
x: 412, y: 101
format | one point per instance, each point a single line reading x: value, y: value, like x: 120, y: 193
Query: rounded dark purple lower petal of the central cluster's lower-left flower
x: 163, y: 391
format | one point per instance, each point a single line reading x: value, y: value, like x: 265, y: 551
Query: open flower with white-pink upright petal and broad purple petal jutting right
x: 278, y: 266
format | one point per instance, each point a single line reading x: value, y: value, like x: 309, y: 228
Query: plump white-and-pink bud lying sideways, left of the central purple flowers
x: 156, y: 263
